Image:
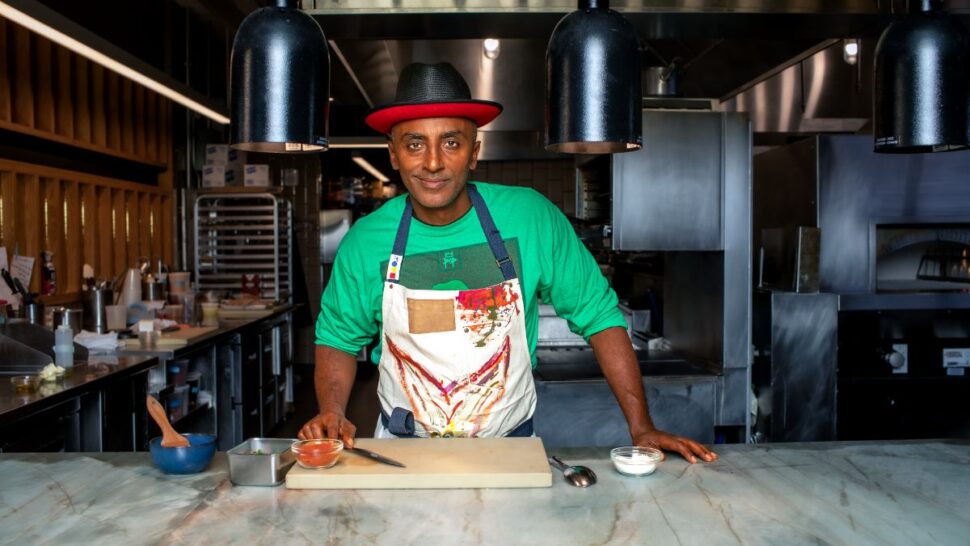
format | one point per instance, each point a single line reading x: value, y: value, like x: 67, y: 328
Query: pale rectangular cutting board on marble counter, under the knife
x: 451, y: 463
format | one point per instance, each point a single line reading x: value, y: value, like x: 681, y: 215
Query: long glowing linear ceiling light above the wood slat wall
x: 38, y: 18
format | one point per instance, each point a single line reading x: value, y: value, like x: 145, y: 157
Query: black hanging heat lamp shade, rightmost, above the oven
x: 922, y: 83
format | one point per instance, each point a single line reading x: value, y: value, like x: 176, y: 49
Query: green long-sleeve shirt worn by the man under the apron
x: 550, y: 260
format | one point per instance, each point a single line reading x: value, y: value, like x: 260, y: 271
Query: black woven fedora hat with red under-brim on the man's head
x: 431, y: 91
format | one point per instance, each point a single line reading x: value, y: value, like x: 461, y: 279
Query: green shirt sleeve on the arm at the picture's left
x: 348, y: 314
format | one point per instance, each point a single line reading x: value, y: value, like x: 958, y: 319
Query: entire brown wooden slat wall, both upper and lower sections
x: 50, y: 92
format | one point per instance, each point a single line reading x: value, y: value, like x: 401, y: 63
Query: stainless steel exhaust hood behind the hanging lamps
x: 722, y: 49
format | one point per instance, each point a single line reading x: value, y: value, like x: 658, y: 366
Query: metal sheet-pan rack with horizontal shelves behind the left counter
x: 238, y: 233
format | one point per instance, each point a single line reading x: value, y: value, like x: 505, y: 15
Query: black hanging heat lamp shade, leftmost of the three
x: 279, y: 82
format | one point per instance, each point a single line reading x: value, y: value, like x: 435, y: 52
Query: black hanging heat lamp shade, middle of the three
x: 593, y: 83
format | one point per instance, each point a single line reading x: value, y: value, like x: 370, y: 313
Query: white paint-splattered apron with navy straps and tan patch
x: 456, y: 360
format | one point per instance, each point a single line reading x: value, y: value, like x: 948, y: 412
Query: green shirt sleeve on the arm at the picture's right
x: 571, y: 280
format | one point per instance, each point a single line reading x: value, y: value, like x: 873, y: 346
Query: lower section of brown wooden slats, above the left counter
x: 41, y: 209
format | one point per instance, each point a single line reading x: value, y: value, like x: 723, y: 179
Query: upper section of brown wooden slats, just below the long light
x: 108, y: 113
